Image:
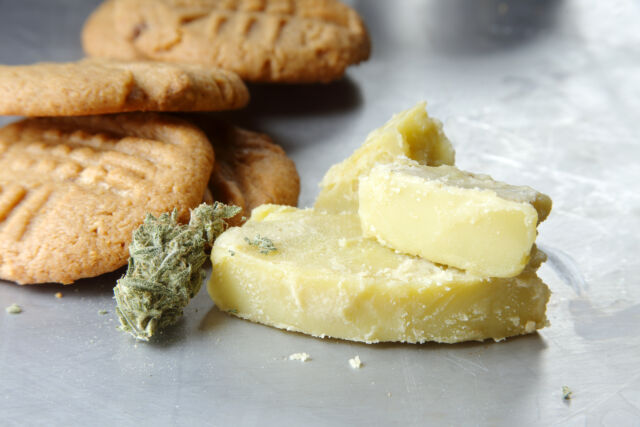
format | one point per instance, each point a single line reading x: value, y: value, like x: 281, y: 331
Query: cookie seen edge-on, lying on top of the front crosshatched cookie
x: 98, y: 86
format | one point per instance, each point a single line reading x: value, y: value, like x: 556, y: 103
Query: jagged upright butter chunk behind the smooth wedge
x: 409, y: 135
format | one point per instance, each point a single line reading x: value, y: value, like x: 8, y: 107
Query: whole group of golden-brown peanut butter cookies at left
x: 98, y: 152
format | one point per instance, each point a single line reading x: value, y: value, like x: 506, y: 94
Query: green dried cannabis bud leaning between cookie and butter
x: 165, y: 267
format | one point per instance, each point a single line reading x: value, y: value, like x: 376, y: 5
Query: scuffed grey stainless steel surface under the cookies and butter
x: 545, y: 93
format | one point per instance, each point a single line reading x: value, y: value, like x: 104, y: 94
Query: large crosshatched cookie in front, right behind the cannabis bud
x: 73, y: 189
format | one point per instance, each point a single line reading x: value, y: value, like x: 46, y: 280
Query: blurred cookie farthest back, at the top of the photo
x: 292, y: 41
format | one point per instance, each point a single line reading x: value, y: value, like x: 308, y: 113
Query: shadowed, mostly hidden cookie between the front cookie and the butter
x: 250, y: 169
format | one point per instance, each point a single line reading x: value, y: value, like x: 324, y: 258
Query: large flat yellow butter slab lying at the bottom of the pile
x: 326, y: 279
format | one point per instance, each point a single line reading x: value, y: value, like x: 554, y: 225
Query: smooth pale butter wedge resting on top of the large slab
x: 452, y: 217
